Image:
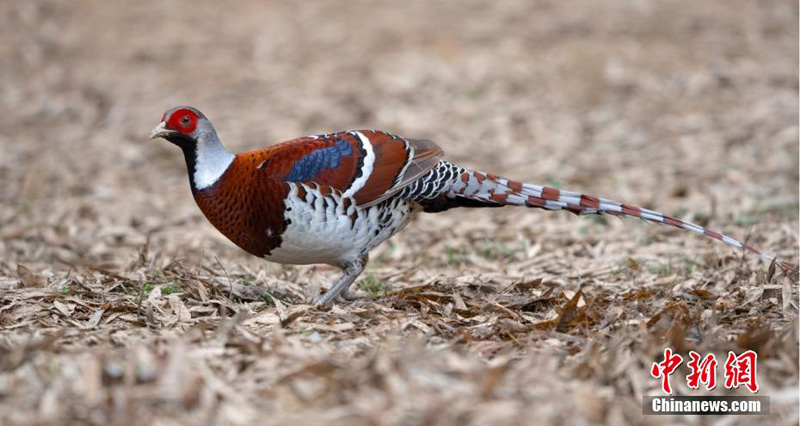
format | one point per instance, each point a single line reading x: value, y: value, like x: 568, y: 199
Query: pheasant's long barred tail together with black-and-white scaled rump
x: 468, y: 188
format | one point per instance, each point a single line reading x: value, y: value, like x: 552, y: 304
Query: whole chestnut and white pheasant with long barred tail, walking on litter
x: 330, y: 199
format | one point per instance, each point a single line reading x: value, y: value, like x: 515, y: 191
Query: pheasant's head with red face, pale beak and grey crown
x: 184, y: 126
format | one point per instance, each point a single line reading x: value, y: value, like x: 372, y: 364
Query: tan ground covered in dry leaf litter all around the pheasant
x: 119, y: 304
